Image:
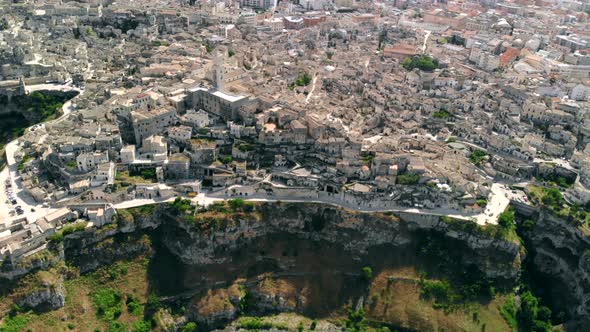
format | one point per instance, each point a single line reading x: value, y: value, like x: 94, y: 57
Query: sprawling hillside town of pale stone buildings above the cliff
x: 442, y: 107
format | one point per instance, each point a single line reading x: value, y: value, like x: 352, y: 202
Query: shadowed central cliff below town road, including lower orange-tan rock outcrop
x: 312, y: 249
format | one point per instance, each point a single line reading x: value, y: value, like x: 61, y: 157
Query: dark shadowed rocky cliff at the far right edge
x: 561, y: 258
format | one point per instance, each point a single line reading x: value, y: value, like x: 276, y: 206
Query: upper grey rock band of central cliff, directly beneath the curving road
x: 356, y: 233
